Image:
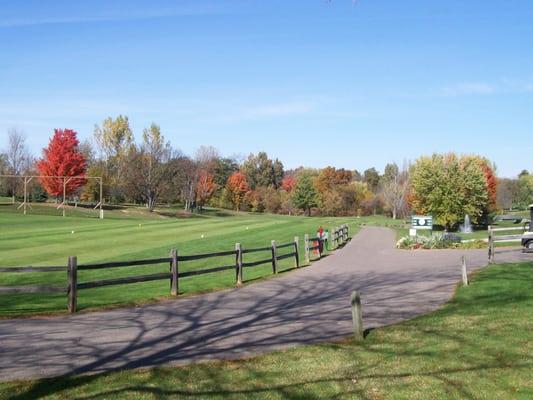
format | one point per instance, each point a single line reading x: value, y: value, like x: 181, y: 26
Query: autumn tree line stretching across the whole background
x: 152, y: 172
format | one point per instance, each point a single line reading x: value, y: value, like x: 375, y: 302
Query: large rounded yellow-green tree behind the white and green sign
x: 448, y: 188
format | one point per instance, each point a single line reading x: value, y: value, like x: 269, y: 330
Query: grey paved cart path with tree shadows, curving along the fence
x: 303, y: 306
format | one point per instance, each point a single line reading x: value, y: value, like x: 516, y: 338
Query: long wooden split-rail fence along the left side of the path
x: 339, y: 237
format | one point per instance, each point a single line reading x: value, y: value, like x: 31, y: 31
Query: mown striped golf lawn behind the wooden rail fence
x: 43, y: 238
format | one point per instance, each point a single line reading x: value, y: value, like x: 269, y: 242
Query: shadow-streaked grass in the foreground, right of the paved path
x: 478, y: 346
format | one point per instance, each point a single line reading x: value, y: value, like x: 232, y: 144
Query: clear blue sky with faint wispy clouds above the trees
x: 313, y: 82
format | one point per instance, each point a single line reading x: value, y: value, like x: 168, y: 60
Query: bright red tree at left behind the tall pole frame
x: 62, y: 158
